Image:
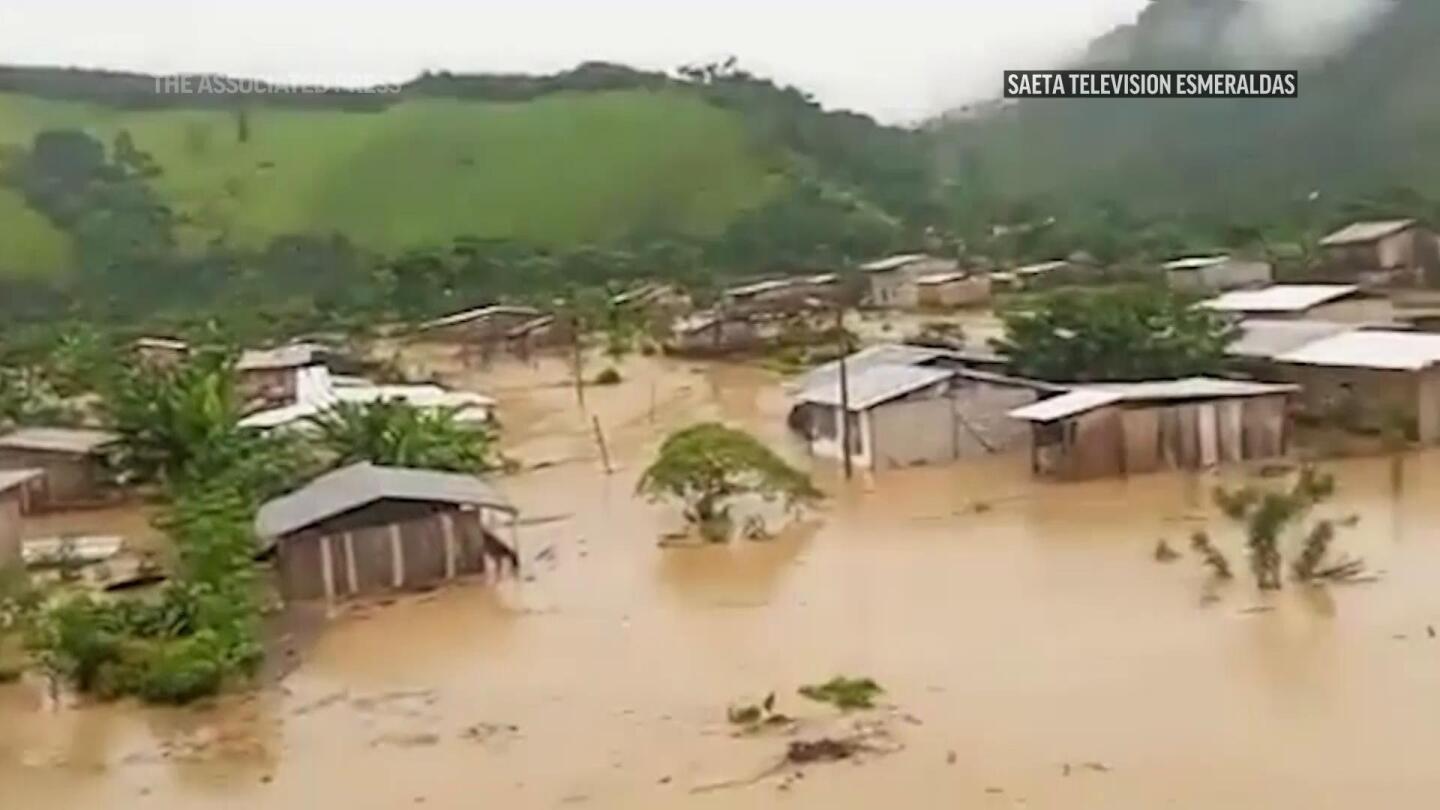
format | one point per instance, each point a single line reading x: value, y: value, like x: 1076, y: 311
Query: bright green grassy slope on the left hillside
x: 559, y: 171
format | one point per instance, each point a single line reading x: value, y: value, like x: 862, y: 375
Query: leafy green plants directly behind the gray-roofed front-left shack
x: 398, y: 435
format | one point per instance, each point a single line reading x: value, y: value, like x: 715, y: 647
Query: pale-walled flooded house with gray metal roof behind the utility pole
x: 909, y: 407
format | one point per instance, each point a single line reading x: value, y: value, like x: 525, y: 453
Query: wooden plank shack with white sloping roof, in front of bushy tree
x: 1131, y: 429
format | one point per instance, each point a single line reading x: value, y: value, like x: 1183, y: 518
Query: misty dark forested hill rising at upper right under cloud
x: 1364, y: 138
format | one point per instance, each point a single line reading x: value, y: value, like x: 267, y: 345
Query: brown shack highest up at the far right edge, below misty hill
x: 1392, y: 252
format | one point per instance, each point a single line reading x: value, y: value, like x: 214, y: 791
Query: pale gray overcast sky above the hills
x: 896, y: 60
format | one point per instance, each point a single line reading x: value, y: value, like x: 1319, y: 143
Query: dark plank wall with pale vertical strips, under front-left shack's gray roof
x: 364, y: 554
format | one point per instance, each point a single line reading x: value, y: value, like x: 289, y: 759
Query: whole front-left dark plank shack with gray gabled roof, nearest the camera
x: 366, y: 530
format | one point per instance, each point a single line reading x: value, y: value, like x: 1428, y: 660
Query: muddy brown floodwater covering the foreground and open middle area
x: 1046, y: 659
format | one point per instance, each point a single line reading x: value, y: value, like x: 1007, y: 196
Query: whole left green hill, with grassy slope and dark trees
x: 712, y: 162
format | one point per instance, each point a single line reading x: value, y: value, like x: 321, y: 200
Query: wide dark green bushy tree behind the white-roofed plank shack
x: 1124, y: 334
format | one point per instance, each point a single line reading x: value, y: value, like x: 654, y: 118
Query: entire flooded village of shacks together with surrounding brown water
x: 1014, y: 561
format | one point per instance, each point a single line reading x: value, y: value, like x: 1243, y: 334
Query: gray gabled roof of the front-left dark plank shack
x: 364, y: 484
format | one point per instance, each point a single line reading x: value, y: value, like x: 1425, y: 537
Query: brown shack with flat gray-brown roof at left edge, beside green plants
x: 73, y: 460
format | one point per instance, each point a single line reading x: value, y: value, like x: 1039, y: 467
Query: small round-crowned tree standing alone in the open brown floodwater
x: 708, y: 465
